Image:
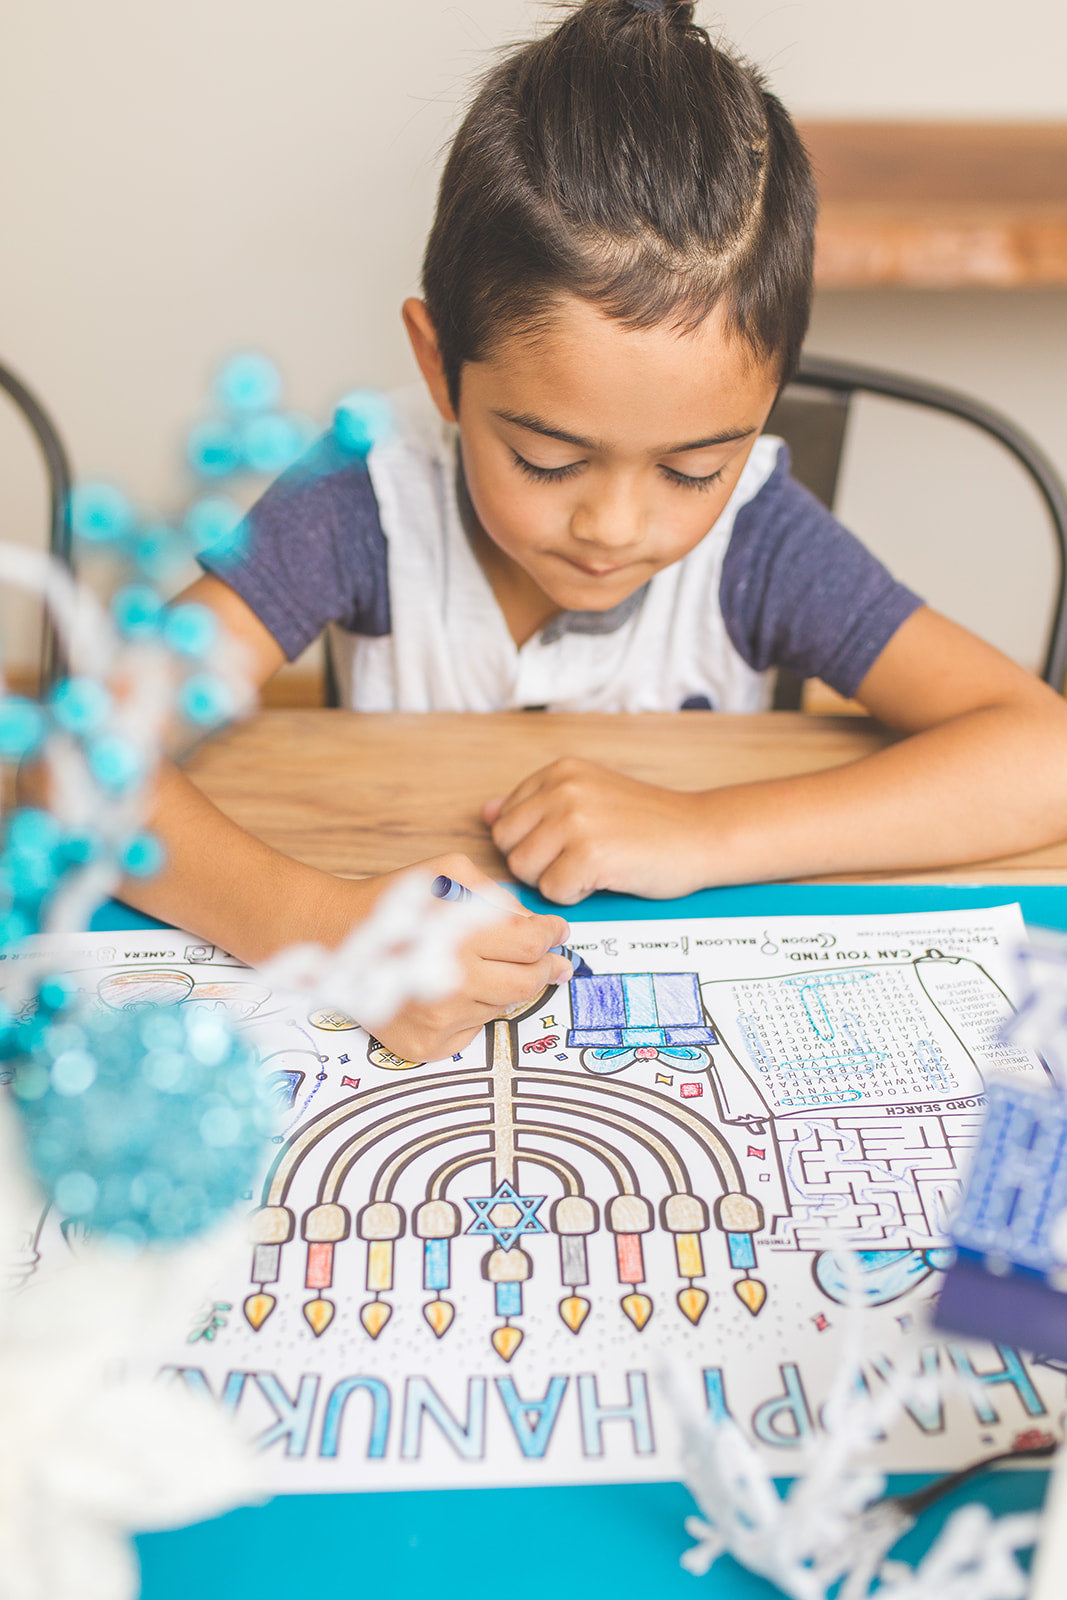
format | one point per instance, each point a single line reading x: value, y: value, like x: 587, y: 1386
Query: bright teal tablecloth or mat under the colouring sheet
x: 527, y: 1545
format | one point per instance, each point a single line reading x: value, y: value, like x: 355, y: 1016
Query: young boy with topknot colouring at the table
x: 585, y: 516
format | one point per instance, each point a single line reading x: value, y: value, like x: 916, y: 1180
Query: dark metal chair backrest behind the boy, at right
x: 812, y: 417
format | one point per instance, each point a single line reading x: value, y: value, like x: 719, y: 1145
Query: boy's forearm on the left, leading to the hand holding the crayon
x: 231, y: 889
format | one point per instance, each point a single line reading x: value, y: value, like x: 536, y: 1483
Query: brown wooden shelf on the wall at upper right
x: 940, y: 206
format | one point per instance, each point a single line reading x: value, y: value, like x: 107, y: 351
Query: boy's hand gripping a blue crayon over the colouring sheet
x: 505, y: 966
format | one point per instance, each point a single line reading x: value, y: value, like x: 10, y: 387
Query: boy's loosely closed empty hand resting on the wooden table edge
x: 575, y: 828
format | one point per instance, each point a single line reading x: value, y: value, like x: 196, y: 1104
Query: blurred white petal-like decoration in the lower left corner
x: 95, y: 1447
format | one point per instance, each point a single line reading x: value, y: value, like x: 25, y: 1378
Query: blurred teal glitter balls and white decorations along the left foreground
x: 138, y: 1126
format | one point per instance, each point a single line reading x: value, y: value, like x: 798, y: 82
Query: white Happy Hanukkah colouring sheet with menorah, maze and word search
x: 660, y: 1185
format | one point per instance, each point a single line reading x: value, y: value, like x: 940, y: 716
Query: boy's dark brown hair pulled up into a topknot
x: 628, y: 161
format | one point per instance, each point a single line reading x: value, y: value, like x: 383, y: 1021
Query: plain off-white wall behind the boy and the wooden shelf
x: 188, y: 178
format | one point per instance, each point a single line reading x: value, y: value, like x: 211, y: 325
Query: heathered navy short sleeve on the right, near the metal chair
x: 799, y: 591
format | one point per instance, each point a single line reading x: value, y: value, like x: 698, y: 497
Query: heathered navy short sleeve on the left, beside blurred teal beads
x: 313, y: 553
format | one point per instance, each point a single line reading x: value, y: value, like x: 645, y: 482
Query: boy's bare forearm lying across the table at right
x: 989, y: 783
